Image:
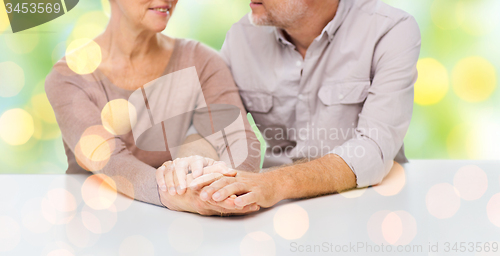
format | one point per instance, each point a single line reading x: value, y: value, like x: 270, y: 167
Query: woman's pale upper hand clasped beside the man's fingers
x: 177, y: 175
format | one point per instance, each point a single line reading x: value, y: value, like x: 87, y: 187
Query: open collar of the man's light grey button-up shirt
x: 330, y: 29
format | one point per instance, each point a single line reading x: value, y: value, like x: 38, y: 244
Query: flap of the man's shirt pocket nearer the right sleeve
x: 344, y: 92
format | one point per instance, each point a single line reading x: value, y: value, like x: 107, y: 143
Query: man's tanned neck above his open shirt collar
x: 305, y: 30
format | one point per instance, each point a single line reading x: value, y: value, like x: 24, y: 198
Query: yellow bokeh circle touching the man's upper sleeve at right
x: 432, y: 83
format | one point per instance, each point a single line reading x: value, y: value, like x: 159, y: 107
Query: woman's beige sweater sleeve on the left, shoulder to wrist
x: 96, y: 150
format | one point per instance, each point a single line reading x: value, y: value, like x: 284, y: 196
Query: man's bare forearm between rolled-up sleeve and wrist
x: 326, y: 175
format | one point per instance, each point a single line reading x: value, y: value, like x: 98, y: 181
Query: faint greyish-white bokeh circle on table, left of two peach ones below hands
x: 185, y: 234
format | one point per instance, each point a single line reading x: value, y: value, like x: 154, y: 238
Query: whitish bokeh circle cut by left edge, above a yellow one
x: 12, y: 79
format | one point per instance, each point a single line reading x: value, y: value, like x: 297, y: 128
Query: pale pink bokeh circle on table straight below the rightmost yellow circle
x: 471, y: 182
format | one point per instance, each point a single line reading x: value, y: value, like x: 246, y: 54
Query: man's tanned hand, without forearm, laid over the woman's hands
x: 251, y: 188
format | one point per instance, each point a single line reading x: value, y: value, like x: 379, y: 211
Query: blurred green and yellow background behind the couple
x: 452, y: 128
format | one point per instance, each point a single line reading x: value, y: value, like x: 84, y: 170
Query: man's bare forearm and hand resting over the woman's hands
x: 325, y: 175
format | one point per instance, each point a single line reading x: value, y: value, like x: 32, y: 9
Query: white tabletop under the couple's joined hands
x: 44, y: 214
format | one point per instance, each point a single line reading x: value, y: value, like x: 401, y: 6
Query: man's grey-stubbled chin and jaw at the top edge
x: 283, y: 17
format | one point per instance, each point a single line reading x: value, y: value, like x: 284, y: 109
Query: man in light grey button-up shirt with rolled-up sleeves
x: 330, y: 85
